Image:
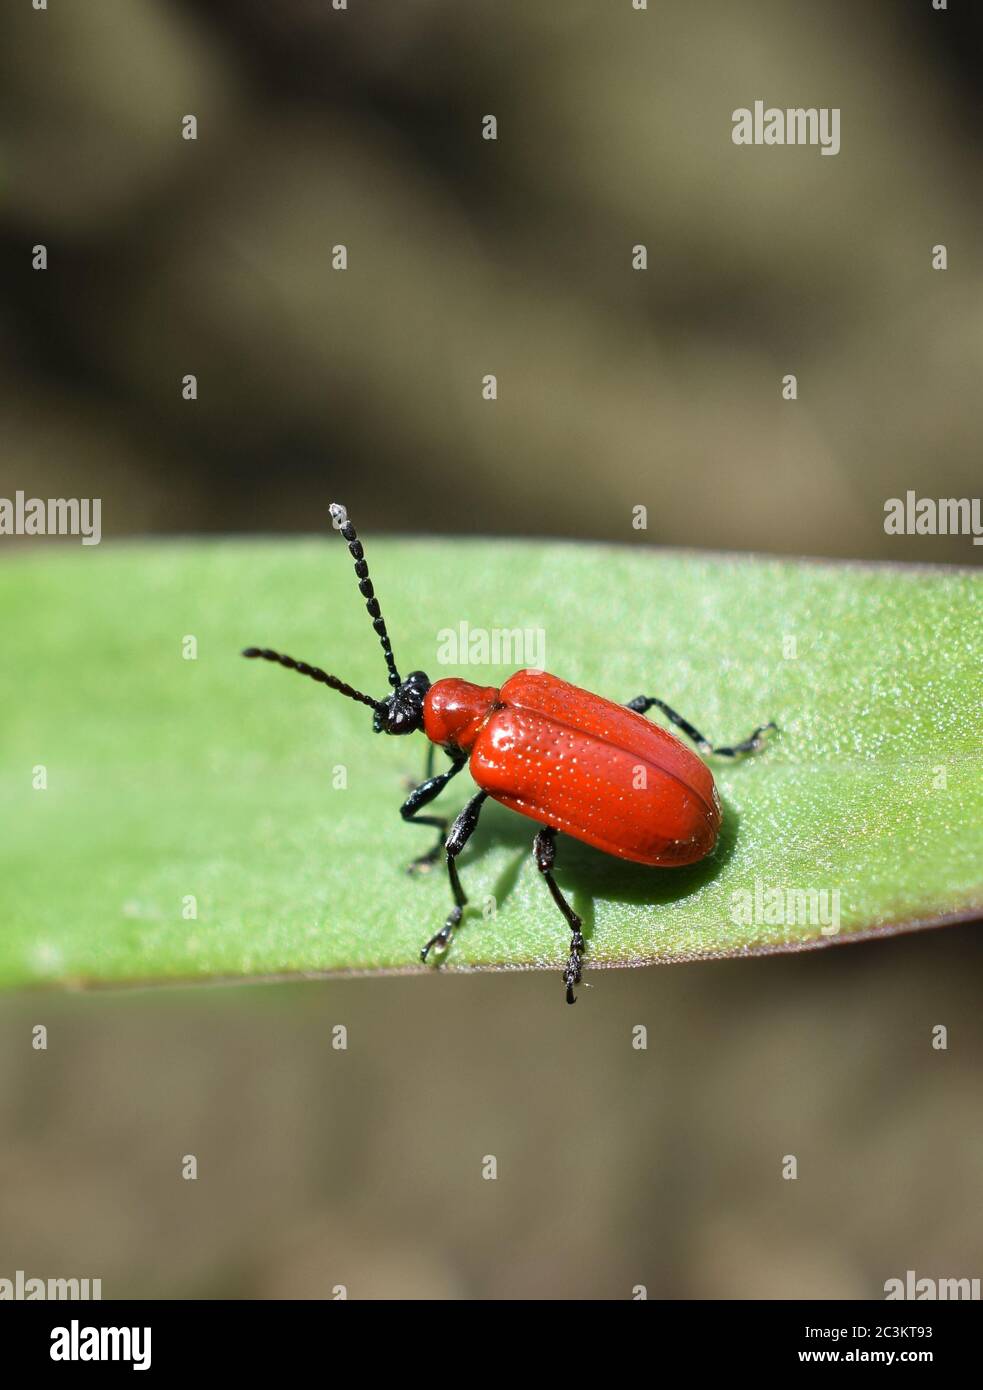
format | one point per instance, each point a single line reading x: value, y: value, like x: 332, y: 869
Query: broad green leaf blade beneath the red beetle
x: 213, y: 779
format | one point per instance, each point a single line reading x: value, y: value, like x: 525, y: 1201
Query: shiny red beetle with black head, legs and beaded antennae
x: 578, y: 764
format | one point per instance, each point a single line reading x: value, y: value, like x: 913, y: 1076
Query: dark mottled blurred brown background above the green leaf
x: 617, y: 387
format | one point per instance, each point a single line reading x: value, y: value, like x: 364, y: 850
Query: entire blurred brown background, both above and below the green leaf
x: 316, y: 127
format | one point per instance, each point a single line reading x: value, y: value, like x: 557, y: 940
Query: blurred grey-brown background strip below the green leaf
x: 615, y: 1167
